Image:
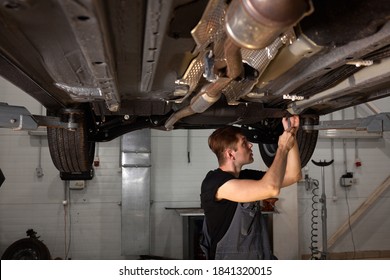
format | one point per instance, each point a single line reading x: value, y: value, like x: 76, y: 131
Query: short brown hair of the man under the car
x: 223, y: 138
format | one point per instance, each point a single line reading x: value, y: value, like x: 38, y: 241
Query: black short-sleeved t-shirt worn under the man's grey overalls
x: 219, y: 214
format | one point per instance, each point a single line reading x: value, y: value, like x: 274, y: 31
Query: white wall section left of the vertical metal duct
x: 27, y: 201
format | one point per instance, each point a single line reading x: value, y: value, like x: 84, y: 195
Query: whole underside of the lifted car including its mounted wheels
x: 105, y: 68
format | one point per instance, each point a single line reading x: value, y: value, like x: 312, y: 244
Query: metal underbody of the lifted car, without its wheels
x: 152, y: 57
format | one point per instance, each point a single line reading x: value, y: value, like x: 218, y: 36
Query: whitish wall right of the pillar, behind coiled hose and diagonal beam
x: 372, y: 231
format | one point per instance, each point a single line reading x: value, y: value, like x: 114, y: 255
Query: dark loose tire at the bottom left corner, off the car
x: 27, y: 249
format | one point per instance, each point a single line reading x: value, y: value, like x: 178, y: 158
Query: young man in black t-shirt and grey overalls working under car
x: 233, y: 225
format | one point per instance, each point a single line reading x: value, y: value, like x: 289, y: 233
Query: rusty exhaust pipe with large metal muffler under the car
x: 250, y: 24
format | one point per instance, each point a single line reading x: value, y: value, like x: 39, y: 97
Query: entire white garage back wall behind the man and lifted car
x: 92, y: 215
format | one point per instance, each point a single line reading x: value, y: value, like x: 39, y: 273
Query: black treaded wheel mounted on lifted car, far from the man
x: 71, y: 151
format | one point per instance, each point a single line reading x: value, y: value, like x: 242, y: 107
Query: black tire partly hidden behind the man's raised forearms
x: 307, y: 141
